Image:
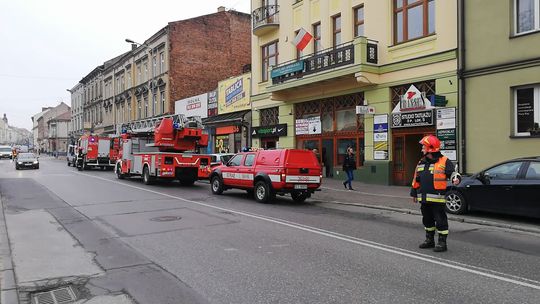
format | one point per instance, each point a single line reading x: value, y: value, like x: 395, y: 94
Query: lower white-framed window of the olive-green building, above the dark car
x: 527, y: 110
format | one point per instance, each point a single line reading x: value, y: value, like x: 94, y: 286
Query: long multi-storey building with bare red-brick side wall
x: 183, y: 59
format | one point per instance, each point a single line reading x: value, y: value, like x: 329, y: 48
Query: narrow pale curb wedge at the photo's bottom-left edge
x: 8, y: 286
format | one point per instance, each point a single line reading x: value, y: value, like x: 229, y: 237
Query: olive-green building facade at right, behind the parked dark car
x: 499, y: 83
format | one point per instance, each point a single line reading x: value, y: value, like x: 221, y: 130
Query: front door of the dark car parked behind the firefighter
x: 496, y: 190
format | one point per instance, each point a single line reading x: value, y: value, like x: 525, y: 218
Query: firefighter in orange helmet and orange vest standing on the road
x: 429, y: 189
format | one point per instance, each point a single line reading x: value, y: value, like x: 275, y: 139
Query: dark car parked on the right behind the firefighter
x: 510, y: 187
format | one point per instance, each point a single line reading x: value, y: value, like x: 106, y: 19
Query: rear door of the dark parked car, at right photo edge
x: 527, y: 191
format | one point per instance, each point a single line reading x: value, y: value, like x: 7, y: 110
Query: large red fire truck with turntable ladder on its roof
x: 165, y: 148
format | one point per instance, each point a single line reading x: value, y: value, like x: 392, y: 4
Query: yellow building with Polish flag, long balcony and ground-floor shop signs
x: 375, y: 76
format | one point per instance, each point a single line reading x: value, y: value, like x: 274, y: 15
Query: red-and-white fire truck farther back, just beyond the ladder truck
x: 95, y: 151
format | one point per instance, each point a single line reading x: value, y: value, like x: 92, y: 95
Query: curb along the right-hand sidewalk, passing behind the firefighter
x: 450, y: 217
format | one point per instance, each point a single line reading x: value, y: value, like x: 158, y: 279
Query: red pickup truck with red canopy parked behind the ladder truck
x: 266, y: 173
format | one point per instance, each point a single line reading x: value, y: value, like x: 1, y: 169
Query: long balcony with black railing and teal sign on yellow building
x: 352, y: 64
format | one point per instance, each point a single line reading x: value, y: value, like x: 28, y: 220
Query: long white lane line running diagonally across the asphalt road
x: 395, y: 250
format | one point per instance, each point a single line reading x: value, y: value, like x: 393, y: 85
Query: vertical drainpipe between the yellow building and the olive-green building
x: 461, y: 82
